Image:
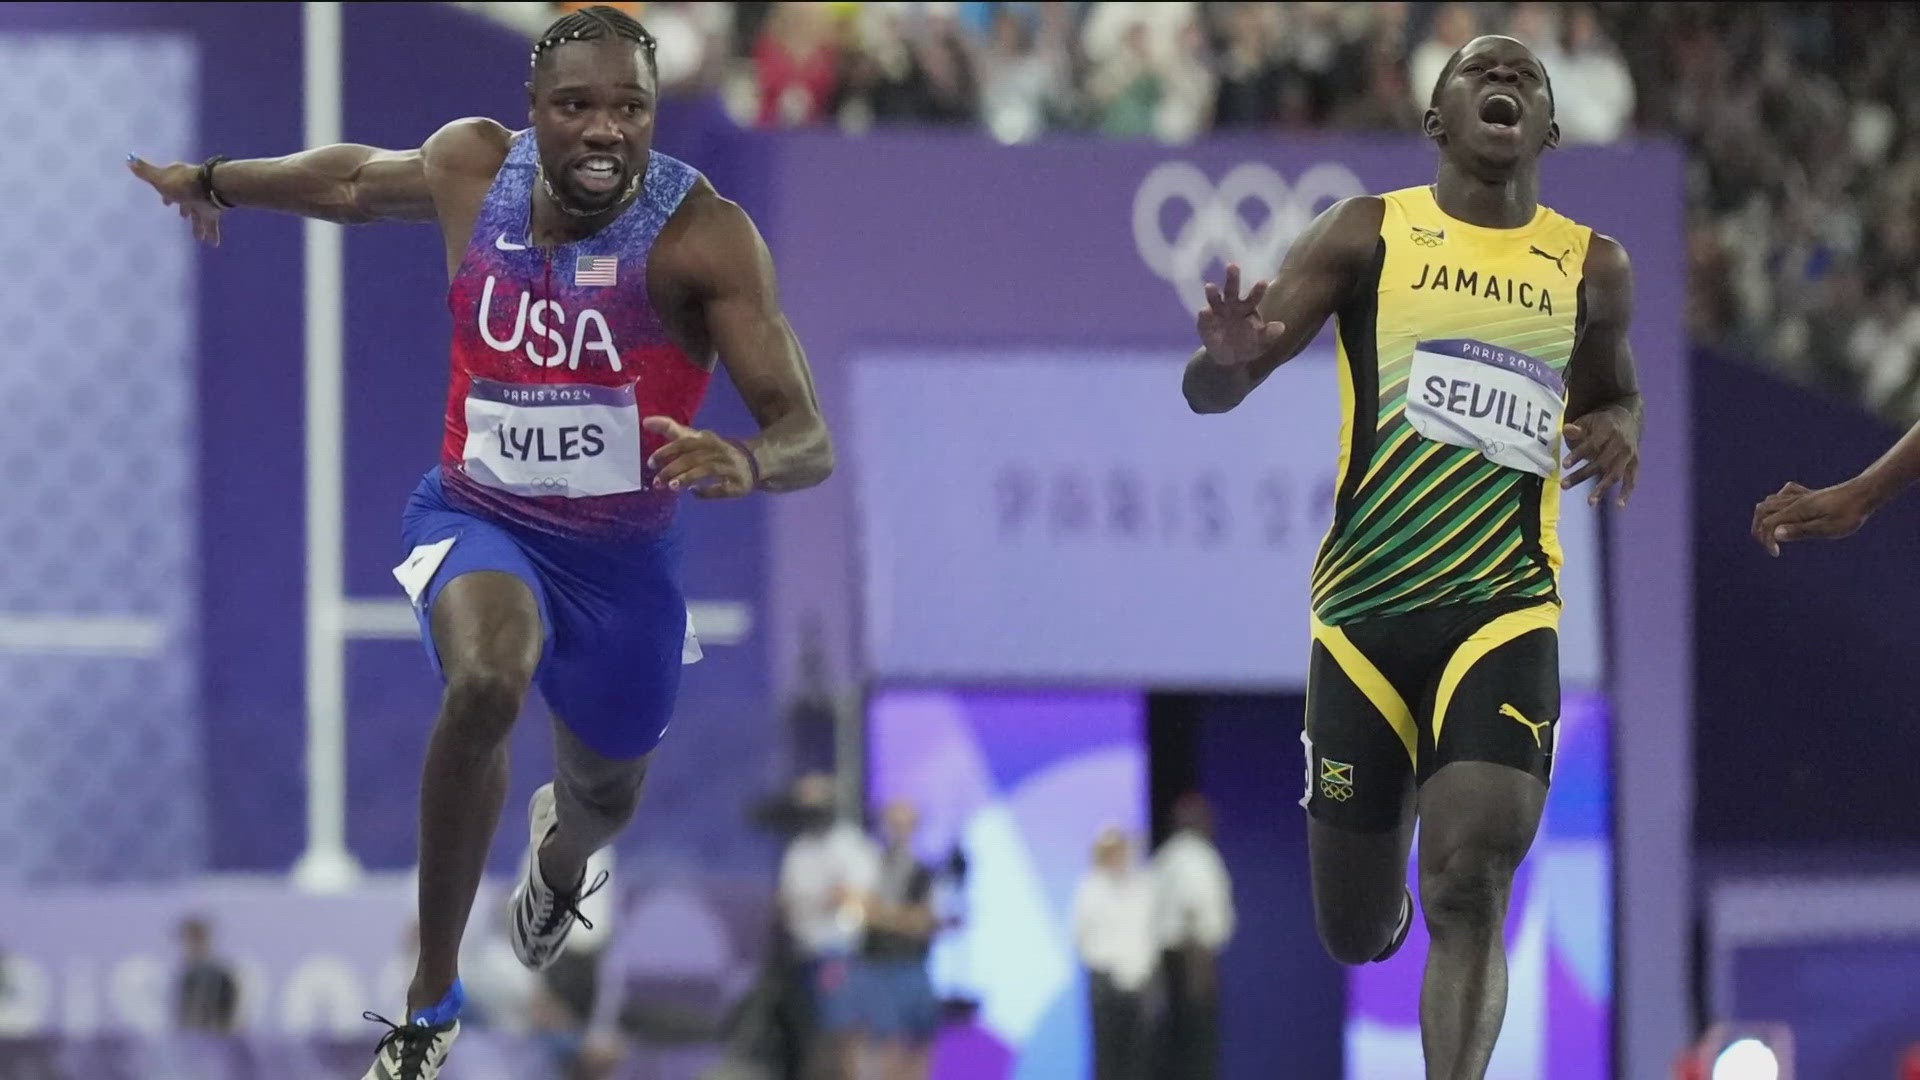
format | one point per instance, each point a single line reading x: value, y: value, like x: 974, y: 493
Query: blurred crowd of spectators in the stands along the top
x: 1804, y: 168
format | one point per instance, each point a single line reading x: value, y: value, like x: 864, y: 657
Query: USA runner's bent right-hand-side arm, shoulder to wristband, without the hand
x: 725, y: 264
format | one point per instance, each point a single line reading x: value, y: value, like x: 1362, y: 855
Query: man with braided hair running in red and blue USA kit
x: 594, y: 283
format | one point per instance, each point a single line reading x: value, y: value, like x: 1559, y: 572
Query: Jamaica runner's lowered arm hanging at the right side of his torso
x: 1604, y: 410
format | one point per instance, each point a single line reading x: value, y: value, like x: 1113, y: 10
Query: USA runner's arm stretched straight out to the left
x: 343, y: 184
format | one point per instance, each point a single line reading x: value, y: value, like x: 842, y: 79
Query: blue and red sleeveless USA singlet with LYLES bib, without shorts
x: 558, y: 356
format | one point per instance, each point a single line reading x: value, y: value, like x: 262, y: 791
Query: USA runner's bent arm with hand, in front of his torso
x: 731, y: 276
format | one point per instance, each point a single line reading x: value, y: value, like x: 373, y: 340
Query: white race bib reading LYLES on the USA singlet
x: 554, y: 439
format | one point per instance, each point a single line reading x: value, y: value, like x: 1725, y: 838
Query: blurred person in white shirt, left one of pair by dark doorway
x: 1115, y: 935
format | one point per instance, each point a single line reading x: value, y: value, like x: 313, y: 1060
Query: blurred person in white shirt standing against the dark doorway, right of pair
x: 1195, y: 921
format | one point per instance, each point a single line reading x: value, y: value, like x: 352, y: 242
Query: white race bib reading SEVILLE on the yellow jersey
x: 1495, y: 401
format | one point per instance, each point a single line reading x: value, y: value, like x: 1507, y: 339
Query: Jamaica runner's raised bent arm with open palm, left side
x: 1316, y: 278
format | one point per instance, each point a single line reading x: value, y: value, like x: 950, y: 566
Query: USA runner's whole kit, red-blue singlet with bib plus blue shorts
x: 558, y: 356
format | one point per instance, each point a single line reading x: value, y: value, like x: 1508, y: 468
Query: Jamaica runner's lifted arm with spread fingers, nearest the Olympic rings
x: 1243, y: 339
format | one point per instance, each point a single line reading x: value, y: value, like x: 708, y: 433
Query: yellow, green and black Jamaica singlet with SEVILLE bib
x: 1452, y: 364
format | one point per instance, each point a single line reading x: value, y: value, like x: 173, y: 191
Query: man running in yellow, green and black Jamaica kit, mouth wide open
x: 1479, y: 333
